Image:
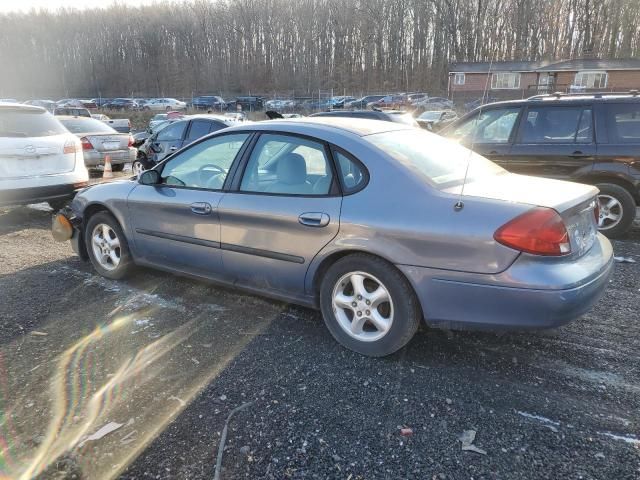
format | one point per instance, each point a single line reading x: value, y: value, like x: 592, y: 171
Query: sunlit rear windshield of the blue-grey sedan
x: 443, y: 162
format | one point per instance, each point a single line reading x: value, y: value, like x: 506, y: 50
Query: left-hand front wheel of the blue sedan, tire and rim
x: 107, y: 246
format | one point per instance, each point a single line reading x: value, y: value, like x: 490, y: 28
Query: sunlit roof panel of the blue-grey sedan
x: 316, y: 126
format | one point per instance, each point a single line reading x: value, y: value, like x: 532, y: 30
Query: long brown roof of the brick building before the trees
x: 547, y: 66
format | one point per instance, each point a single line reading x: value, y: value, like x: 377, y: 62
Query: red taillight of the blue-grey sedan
x: 540, y: 231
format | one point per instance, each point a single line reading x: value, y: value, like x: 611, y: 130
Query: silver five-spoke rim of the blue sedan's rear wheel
x: 362, y: 306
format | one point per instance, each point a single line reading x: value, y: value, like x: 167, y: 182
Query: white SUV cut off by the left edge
x: 40, y: 161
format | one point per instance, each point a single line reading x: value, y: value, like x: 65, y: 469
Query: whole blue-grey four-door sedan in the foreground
x: 379, y: 225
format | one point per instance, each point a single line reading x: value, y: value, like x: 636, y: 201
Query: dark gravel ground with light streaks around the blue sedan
x: 161, y: 361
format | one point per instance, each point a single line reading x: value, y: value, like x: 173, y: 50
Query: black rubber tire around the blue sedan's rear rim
x: 407, y: 312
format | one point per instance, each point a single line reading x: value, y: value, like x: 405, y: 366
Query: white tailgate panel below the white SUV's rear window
x: 22, y: 157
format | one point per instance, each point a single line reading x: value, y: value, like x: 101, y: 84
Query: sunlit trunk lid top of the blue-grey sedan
x: 543, y: 192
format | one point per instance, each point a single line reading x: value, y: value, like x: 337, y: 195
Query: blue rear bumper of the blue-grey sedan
x: 548, y: 295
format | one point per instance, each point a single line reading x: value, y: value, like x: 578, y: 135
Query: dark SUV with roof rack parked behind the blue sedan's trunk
x: 591, y: 138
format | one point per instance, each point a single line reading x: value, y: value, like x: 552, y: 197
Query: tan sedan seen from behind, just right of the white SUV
x: 99, y: 141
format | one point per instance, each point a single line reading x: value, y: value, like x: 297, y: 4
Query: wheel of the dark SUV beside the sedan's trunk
x: 617, y: 209
